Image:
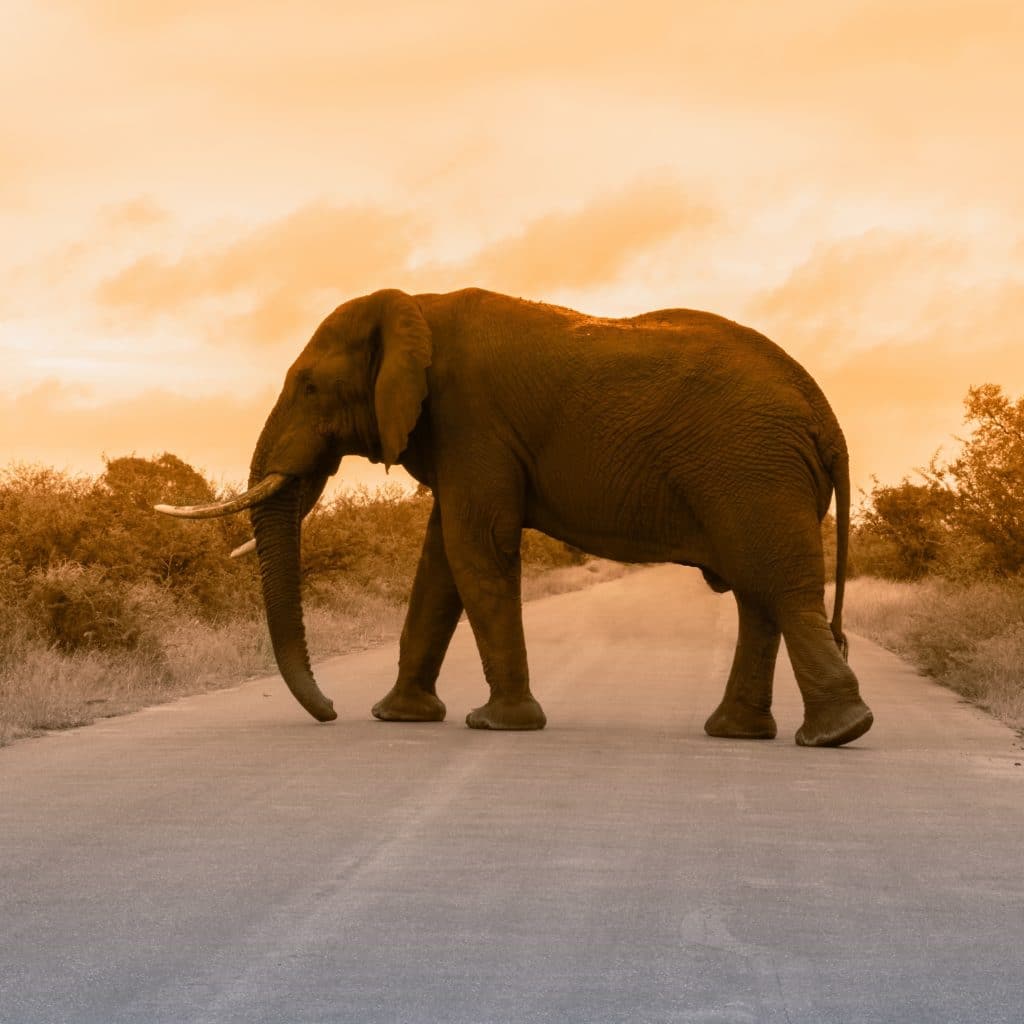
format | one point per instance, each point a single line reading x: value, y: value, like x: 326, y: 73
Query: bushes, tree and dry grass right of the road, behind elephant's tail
x: 940, y: 562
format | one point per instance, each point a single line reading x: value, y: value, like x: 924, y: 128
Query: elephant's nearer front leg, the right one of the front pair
x: 483, y: 544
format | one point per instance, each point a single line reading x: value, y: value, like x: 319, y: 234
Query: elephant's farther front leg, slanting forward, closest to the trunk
x: 435, y: 609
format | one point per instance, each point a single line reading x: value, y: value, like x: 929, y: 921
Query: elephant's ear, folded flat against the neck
x: 402, y: 380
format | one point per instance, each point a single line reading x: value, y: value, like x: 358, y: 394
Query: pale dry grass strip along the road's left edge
x: 44, y: 689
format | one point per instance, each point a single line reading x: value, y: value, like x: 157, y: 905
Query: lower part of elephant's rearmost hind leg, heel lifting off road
x: 834, y: 712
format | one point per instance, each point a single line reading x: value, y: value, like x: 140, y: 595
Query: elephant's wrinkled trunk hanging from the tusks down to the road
x: 277, y: 525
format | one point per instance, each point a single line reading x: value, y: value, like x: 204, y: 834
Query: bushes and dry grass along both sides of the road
x: 107, y: 607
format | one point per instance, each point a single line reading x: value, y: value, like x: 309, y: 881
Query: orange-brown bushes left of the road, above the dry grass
x: 88, y: 564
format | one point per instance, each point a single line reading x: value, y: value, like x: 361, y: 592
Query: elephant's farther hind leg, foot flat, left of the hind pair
x: 746, y: 709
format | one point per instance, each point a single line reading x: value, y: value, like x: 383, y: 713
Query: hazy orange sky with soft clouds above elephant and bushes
x: 187, y: 189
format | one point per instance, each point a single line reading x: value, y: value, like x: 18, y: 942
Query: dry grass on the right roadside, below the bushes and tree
x: 969, y: 637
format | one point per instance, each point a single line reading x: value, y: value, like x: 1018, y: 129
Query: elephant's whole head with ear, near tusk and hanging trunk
x: 357, y: 390
